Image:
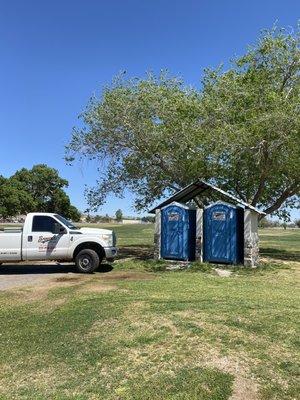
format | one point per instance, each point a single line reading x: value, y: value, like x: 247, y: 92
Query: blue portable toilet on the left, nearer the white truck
x: 178, y: 232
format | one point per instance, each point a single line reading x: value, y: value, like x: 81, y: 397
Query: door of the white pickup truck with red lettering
x: 42, y: 243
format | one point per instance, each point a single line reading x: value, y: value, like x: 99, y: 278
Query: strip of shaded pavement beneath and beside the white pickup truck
x: 36, y: 274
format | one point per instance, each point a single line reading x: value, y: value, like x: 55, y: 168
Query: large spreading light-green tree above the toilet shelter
x: 241, y: 131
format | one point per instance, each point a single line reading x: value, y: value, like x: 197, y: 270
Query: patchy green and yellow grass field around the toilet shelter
x: 139, y: 332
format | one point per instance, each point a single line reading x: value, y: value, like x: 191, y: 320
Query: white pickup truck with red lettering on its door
x: 47, y: 236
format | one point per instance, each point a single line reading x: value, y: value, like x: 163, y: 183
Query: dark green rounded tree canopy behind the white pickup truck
x: 38, y: 189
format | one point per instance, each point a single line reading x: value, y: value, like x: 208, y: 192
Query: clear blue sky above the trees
x: 56, y: 54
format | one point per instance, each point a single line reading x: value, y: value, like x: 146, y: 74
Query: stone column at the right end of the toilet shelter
x: 251, y: 242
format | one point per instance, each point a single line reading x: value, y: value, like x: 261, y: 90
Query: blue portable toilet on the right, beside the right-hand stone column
x: 223, y: 233
